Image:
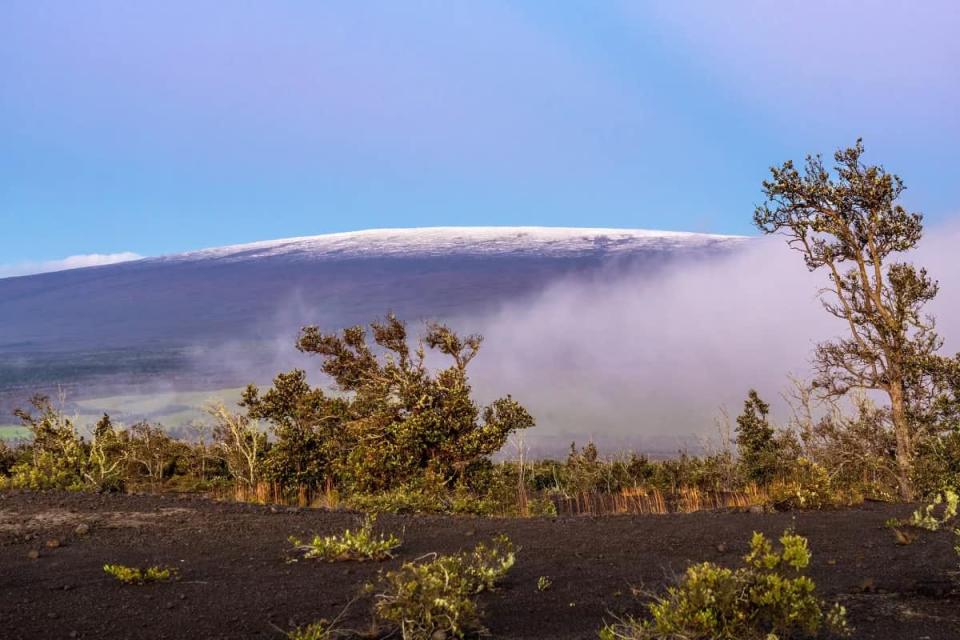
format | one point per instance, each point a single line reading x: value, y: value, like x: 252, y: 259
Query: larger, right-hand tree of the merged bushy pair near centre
x: 403, y: 418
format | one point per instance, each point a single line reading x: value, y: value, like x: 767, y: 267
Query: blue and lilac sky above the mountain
x: 161, y: 127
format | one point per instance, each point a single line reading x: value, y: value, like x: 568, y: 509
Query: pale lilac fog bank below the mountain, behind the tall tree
x: 628, y: 362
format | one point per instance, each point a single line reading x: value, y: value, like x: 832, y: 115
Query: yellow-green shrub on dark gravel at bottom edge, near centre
x: 437, y: 598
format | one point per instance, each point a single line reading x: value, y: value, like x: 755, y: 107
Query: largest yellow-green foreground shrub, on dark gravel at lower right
x: 770, y: 597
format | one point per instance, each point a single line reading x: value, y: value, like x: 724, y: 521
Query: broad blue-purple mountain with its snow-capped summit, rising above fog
x: 149, y: 318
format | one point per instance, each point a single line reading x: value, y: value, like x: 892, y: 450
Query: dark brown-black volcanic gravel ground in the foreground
x: 236, y: 583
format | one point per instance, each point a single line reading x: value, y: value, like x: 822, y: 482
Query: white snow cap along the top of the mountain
x: 473, y: 241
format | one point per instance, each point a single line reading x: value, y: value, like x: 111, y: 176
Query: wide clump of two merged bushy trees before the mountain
x: 394, y: 420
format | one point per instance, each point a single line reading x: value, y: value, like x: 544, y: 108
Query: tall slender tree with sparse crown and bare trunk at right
x: 849, y: 223
